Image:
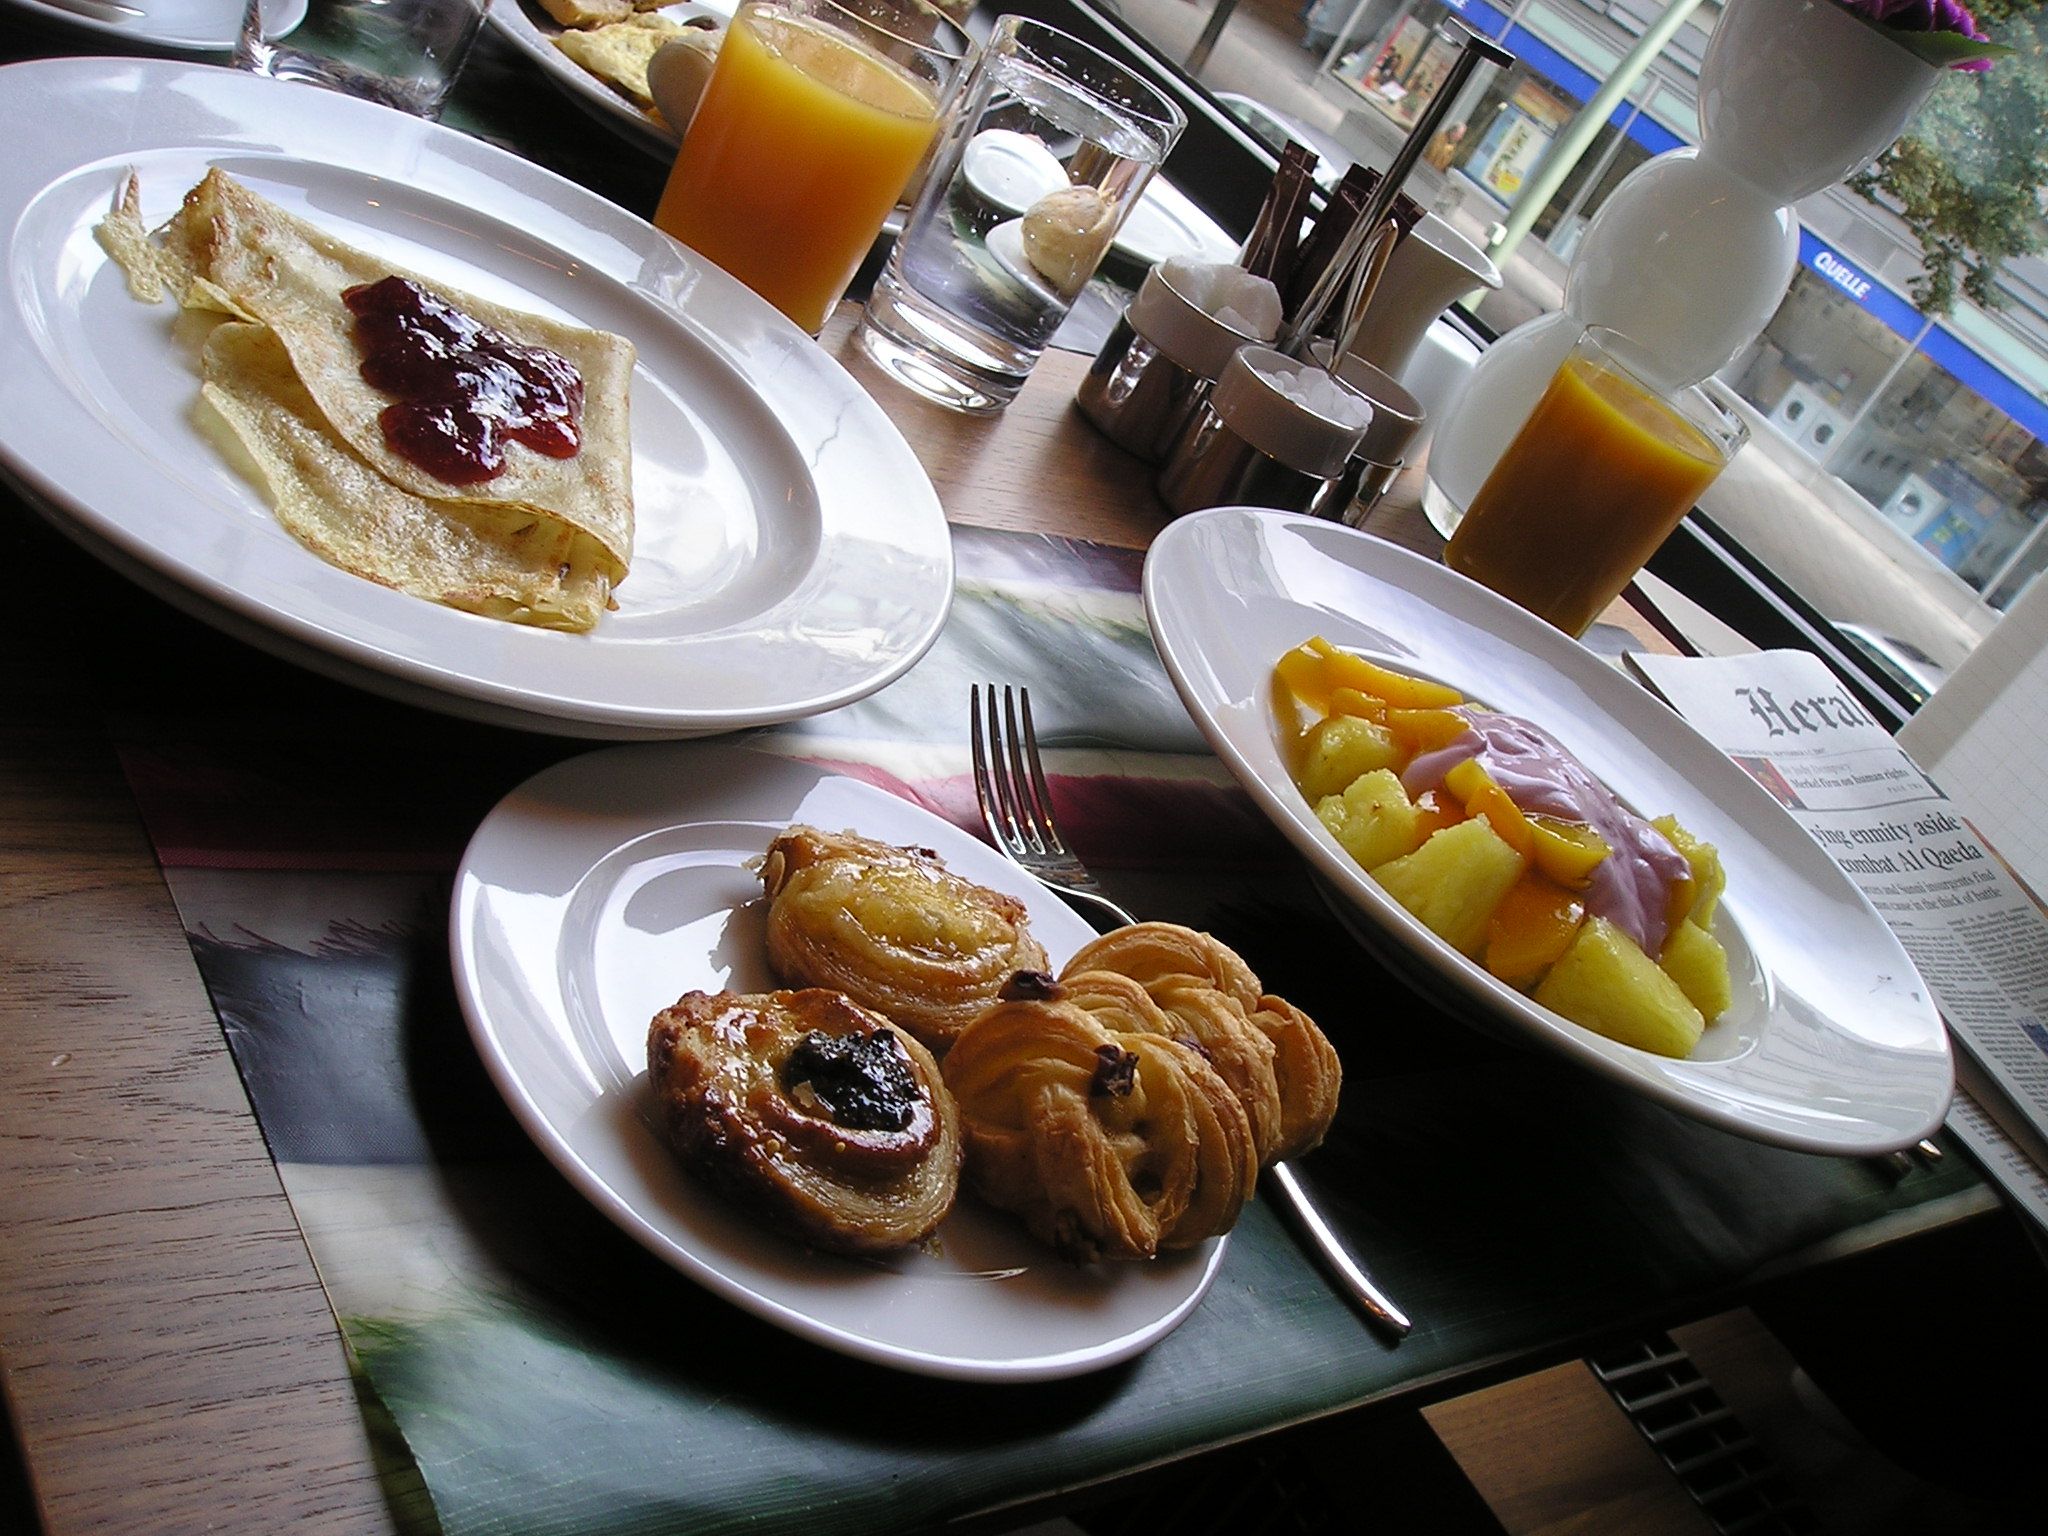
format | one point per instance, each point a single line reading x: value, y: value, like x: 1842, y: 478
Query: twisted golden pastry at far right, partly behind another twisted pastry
x: 1273, y: 1056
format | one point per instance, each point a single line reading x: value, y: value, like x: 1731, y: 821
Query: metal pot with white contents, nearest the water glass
x: 1160, y: 361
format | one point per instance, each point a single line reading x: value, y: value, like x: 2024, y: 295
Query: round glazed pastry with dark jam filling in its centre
x: 810, y: 1111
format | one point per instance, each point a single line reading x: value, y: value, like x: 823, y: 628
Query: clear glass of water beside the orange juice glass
x: 1048, y: 151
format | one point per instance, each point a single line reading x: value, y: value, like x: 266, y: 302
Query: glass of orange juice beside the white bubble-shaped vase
x: 1590, y: 486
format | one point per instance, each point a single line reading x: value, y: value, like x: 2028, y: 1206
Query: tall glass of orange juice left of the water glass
x: 806, y: 136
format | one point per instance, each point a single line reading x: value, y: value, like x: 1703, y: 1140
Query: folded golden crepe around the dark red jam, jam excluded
x: 544, y: 544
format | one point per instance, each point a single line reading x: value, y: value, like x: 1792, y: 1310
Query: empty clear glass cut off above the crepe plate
x: 398, y: 52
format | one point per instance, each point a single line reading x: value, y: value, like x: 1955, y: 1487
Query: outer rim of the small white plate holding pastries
x: 464, y: 914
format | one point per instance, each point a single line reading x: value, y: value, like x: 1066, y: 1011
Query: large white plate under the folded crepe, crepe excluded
x: 790, y: 552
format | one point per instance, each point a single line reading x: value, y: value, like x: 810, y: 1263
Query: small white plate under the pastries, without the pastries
x: 609, y: 886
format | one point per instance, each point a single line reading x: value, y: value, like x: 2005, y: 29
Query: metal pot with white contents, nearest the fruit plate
x: 1273, y: 433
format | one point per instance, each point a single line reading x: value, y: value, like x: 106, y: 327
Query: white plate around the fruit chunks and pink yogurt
x: 1832, y: 1043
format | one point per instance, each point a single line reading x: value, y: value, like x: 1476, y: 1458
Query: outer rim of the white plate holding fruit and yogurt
x: 1478, y: 990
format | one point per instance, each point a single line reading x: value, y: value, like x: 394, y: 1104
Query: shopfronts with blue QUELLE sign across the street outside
x: 1936, y: 423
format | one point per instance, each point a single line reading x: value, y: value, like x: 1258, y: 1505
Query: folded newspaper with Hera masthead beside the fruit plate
x: 1973, y: 931
